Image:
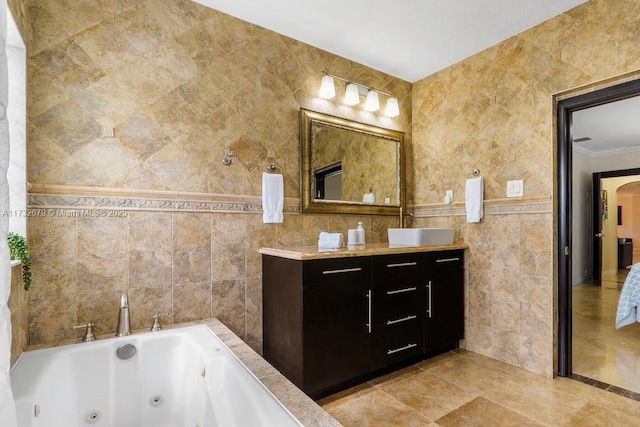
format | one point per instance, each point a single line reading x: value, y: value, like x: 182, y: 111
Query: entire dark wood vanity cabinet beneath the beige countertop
x: 327, y: 322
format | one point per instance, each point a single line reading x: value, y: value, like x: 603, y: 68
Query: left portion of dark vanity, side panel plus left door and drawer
x: 316, y: 320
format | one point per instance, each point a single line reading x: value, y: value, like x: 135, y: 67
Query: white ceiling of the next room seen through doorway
x: 613, y: 128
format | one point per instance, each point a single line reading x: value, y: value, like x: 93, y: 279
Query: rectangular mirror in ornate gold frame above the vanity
x: 350, y: 167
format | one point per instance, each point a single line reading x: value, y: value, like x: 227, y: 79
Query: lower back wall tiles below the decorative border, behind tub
x: 185, y: 265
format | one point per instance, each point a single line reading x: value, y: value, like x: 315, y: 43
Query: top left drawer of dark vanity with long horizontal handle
x: 339, y: 270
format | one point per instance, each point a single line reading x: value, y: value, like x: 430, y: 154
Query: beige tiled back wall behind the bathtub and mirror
x: 148, y: 96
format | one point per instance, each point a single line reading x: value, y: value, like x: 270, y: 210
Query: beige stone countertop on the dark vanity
x: 312, y: 252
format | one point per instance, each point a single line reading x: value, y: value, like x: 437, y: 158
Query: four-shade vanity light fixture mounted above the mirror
x: 352, y: 95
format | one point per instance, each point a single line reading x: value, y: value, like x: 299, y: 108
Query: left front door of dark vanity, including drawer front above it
x: 336, y: 318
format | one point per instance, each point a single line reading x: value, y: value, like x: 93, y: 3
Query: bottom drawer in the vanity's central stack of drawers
x: 397, y: 348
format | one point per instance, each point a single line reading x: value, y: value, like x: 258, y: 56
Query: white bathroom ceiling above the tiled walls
x: 408, y: 39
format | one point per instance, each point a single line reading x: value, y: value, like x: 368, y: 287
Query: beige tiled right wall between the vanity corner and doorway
x: 495, y: 111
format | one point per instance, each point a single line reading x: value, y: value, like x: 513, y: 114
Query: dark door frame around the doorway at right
x: 564, y: 176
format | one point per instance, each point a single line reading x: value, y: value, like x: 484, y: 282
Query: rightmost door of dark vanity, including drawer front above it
x: 444, y: 300
